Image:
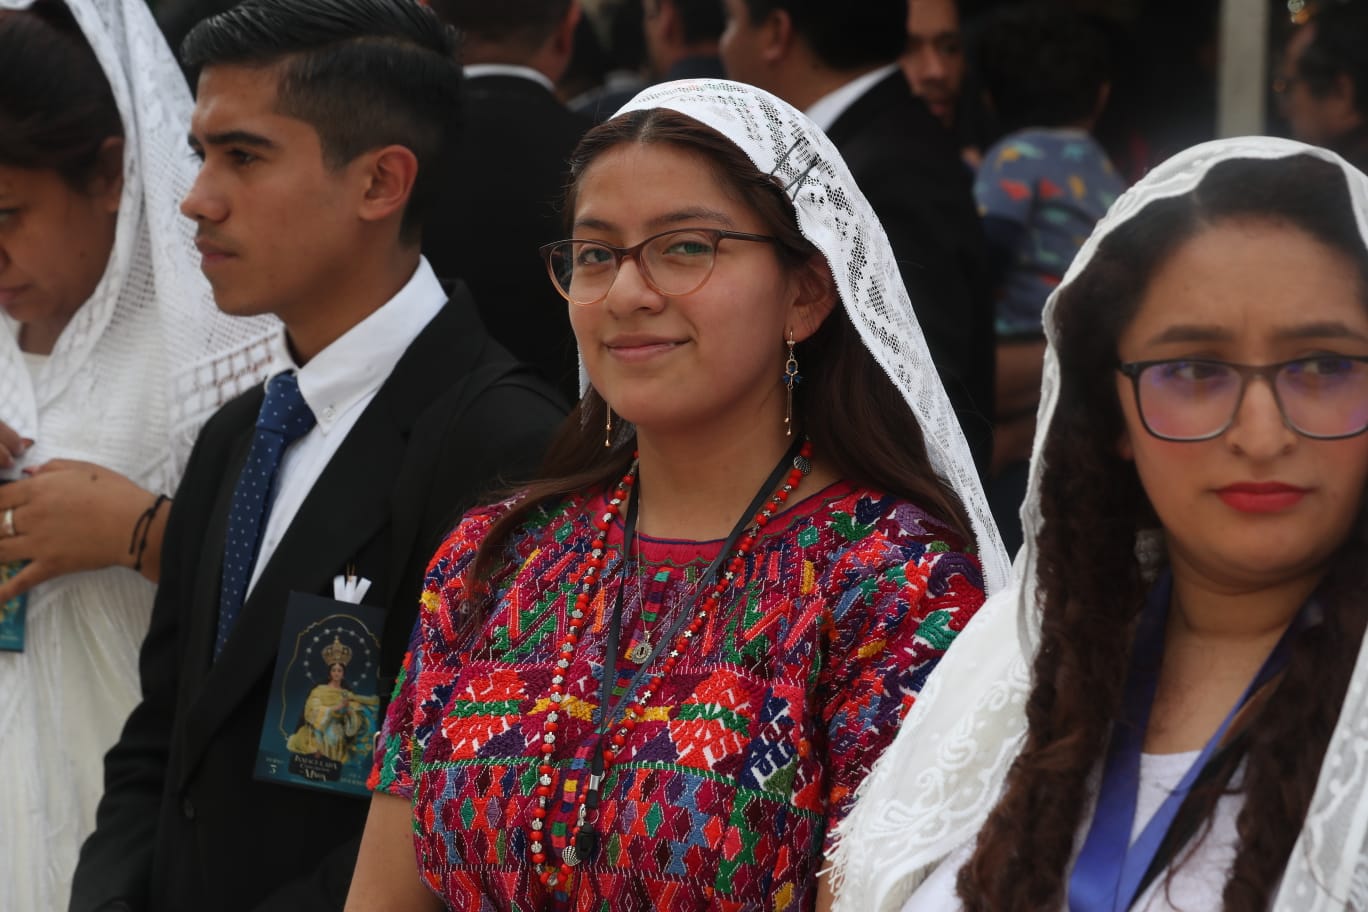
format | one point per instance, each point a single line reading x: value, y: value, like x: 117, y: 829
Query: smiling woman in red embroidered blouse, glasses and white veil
x: 655, y: 680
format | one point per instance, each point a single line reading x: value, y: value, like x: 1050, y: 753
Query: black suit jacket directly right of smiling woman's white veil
x: 909, y: 169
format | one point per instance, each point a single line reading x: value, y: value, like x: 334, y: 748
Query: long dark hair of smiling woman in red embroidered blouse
x: 854, y: 415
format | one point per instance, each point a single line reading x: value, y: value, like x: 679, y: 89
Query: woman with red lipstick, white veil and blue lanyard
x: 982, y: 802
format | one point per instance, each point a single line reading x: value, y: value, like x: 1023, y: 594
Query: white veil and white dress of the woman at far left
x: 128, y: 386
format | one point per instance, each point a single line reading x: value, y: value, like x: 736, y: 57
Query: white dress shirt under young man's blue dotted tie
x: 339, y: 384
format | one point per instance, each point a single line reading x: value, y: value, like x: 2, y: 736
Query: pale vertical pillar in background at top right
x: 1243, y: 91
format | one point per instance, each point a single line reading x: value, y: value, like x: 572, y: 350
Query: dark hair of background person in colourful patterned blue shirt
x: 1042, y: 68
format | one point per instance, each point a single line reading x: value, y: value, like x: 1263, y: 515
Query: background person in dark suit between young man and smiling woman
x: 510, y: 170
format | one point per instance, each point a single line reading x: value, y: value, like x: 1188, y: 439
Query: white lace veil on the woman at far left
x: 153, y: 306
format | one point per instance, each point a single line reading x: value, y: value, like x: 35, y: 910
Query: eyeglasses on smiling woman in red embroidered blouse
x: 674, y: 263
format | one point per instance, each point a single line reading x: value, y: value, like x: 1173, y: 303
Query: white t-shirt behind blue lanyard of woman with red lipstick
x: 1195, y: 885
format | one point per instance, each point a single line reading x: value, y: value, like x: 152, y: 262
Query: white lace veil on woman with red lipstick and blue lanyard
x: 934, y: 788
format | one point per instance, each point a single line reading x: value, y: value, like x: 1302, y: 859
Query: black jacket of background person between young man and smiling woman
x: 500, y: 202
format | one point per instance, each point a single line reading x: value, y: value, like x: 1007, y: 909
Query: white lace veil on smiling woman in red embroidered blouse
x: 838, y: 219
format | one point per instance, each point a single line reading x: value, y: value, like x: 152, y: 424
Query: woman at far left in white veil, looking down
x: 103, y: 389
